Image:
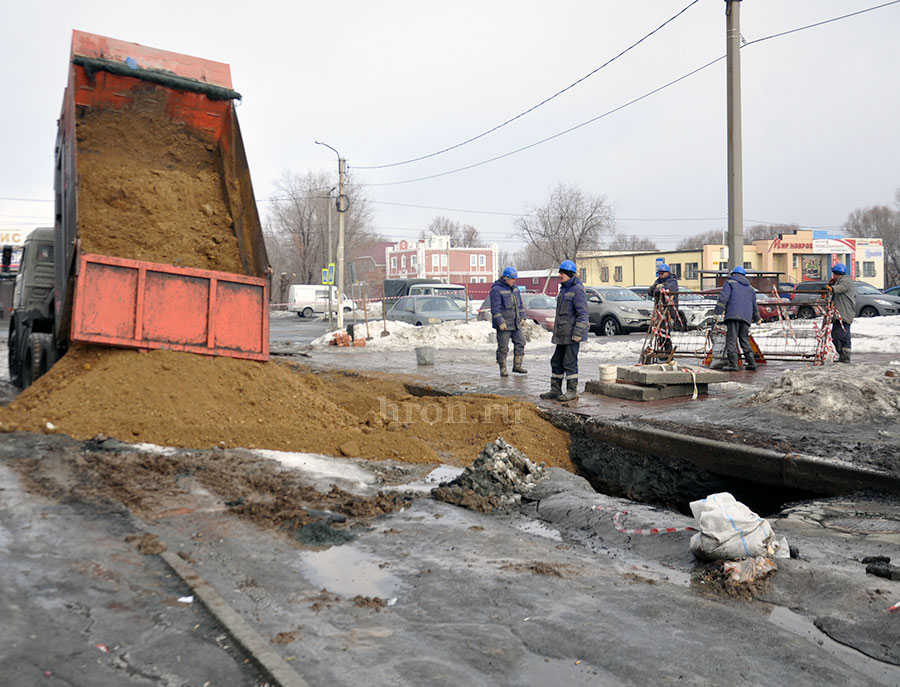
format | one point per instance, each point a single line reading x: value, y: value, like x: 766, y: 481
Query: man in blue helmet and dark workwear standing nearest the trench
x: 570, y: 327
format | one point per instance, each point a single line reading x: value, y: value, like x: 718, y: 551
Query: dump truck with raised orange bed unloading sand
x: 156, y: 242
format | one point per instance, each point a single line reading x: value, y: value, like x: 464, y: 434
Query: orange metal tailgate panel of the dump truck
x: 136, y: 304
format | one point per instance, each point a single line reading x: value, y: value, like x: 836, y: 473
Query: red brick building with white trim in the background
x: 434, y: 258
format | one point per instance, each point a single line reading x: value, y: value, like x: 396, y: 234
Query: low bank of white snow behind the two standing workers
x: 459, y: 334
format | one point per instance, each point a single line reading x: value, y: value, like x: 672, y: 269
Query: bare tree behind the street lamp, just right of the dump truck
x: 296, y: 227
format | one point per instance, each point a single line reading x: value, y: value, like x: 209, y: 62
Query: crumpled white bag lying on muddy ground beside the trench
x: 728, y: 529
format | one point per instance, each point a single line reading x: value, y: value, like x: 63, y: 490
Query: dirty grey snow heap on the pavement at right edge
x: 839, y: 393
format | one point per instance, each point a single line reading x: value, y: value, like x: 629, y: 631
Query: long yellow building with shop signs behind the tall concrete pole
x: 803, y: 256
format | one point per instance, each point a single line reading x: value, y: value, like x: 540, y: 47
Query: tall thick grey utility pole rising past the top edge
x: 735, y: 176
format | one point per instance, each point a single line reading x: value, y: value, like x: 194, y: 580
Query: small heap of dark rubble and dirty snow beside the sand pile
x: 498, y: 478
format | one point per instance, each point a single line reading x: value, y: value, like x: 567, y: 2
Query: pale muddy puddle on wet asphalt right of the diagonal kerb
x: 347, y: 571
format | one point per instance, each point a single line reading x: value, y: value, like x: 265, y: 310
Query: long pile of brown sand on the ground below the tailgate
x: 186, y: 400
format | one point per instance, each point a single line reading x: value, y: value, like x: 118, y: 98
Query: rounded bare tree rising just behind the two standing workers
x: 569, y: 222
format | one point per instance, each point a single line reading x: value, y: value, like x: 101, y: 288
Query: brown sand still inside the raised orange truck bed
x: 149, y: 189
